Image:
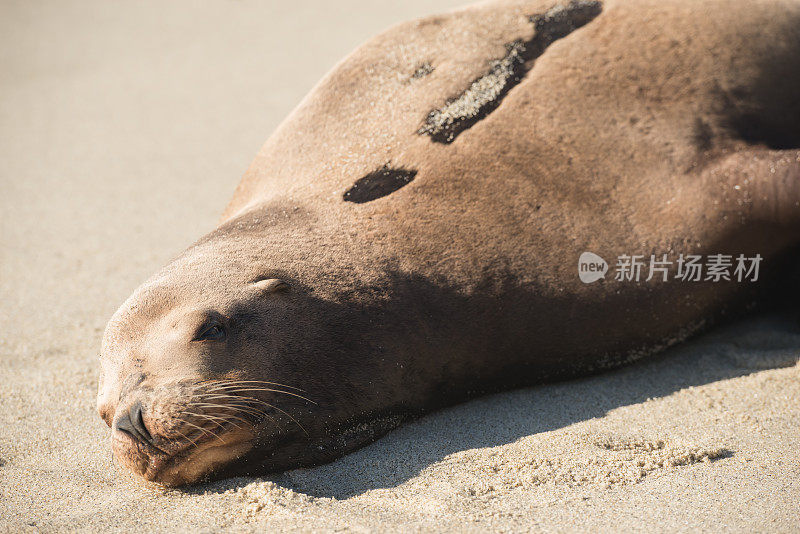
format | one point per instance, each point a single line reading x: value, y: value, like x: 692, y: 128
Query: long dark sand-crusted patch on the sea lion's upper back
x: 484, y: 95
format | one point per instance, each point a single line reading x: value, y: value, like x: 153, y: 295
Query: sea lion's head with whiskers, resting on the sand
x: 208, y: 365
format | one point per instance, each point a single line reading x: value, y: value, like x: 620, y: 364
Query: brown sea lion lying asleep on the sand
x: 410, y: 236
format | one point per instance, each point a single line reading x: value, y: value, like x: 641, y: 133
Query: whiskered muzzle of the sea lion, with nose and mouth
x: 181, y: 433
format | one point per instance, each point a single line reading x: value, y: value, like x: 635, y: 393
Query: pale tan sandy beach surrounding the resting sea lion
x: 125, y: 129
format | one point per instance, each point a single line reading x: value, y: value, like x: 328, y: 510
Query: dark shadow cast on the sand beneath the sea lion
x: 757, y: 343
